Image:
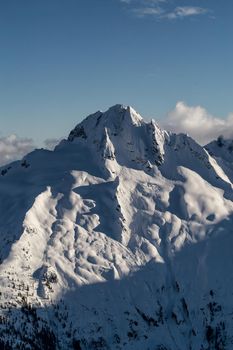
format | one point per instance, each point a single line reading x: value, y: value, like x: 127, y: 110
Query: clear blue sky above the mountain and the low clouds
x: 63, y: 59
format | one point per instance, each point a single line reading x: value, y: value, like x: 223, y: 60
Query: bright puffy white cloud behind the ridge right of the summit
x: 198, y: 123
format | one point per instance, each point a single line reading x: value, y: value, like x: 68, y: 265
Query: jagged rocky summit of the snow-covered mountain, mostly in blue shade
x: 120, y: 134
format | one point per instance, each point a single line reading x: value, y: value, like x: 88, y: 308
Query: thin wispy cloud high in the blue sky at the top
x: 162, y: 9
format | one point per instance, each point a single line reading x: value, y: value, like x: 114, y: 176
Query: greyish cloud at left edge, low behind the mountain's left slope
x: 13, y: 147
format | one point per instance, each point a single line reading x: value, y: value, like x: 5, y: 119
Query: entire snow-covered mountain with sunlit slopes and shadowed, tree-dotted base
x: 120, y: 238
